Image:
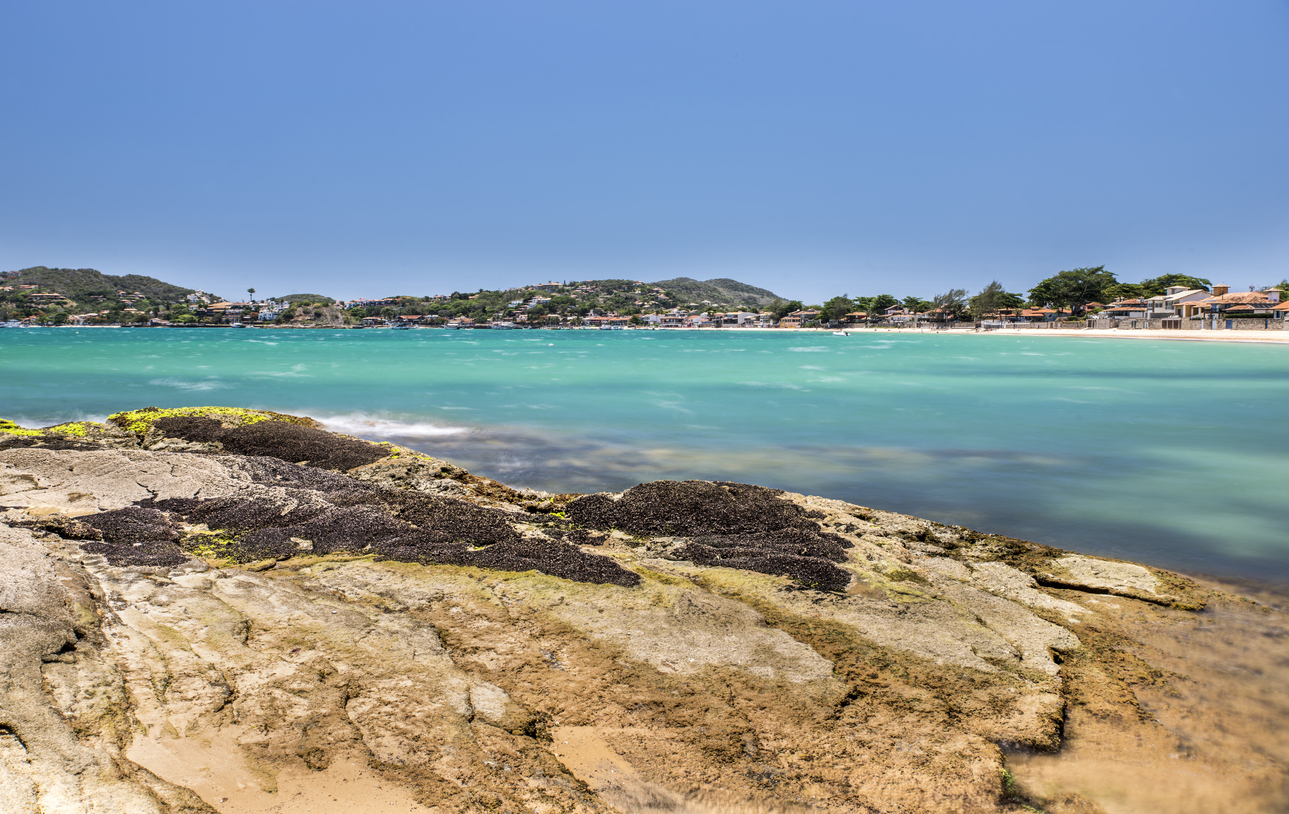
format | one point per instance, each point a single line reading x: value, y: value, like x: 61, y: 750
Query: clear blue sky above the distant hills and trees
x: 814, y: 149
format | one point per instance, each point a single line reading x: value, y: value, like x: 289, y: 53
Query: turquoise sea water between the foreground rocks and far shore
x: 1171, y: 453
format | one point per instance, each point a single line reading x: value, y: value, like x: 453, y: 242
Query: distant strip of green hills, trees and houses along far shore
x: 43, y: 296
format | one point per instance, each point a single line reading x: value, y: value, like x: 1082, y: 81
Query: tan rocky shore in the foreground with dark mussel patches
x: 231, y: 611
